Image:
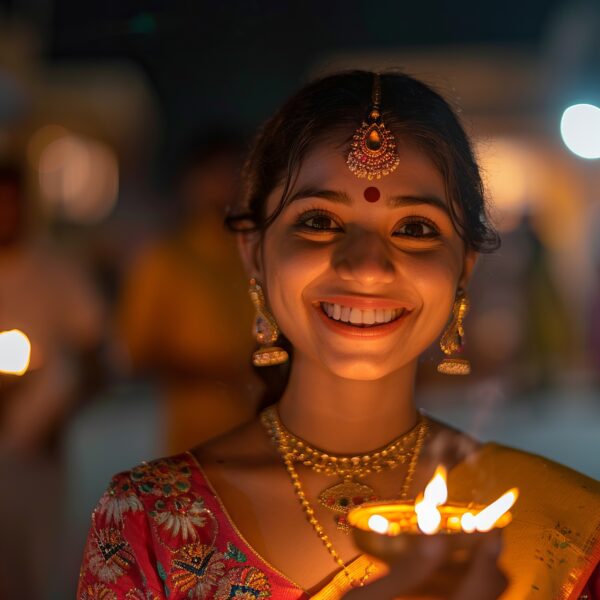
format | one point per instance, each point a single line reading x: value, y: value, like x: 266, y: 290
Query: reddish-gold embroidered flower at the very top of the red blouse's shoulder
x: 165, y: 477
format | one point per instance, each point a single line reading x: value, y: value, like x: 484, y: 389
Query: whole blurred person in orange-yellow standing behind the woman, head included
x: 184, y: 316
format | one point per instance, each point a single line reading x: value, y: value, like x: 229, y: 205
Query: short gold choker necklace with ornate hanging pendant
x: 345, y: 495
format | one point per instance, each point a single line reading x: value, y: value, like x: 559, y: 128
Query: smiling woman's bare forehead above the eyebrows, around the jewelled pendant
x: 416, y: 173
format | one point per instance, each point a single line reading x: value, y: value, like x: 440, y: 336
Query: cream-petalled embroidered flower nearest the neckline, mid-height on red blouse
x: 180, y: 516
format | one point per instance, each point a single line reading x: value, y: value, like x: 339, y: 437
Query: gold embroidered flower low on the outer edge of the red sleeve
x: 110, y: 556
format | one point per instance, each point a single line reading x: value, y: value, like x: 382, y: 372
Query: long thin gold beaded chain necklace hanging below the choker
x: 287, y: 454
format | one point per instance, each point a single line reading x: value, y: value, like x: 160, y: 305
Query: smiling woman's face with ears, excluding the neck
x: 362, y: 287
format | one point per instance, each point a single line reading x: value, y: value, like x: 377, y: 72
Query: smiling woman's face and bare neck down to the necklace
x: 391, y: 268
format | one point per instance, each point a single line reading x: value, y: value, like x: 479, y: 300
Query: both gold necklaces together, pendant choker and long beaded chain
x: 350, y: 492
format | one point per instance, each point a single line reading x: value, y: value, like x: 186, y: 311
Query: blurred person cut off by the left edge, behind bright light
x: 50, y: 299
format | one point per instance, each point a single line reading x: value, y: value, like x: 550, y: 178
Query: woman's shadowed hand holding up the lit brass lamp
x: 430, y: 574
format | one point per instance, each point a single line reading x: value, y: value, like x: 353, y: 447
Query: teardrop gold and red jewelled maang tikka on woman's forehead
x: 373, y: 149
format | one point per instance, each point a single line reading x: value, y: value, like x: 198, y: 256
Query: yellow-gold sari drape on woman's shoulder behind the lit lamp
x: 553, y: 543
